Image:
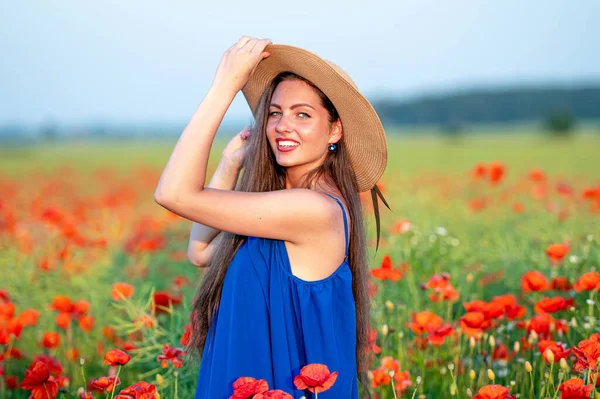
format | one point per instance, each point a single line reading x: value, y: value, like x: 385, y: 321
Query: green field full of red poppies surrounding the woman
x: 484, y: 285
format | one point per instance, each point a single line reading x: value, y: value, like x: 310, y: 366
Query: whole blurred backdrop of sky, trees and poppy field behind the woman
x: 492, y: 114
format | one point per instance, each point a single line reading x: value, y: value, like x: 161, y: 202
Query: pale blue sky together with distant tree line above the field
x: 77, y: 70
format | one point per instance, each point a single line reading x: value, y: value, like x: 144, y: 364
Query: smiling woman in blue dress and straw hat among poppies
x: 287, y: 275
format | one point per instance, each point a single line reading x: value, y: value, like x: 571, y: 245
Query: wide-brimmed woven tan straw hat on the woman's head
x: 364, y: 137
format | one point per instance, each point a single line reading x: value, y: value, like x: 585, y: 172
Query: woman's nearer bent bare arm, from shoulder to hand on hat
x: 295, y: 215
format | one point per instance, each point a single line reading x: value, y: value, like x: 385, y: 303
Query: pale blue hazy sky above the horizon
x: 137, y: 61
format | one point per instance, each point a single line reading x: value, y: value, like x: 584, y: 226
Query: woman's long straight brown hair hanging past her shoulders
x: 267, y: 175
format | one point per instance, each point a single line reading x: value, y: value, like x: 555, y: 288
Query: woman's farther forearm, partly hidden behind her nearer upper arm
x: 224, y: 178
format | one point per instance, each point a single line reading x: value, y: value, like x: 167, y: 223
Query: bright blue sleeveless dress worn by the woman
x: 271, y: 323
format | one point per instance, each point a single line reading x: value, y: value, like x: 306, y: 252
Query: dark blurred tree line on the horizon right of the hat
x: 555, y: 108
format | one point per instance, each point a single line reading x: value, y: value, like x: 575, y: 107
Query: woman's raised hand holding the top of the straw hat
x: 239, y: 62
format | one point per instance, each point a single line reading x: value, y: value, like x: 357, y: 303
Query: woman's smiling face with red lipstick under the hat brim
x: 298, y: 127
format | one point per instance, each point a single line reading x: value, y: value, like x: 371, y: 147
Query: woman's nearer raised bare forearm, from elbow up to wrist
x: 185, y: 171
